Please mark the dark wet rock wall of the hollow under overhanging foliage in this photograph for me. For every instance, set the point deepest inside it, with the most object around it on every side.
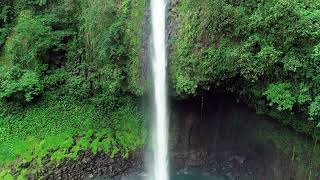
(219, 137)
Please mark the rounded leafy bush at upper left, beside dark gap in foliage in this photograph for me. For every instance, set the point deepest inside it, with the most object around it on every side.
(31, 40)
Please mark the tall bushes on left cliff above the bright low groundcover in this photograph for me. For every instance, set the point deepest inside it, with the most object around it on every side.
(79, 49)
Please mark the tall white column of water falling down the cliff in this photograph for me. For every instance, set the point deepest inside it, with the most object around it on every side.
(159, 63)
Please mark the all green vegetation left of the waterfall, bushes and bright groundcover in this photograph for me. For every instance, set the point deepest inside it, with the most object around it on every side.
(69, 69)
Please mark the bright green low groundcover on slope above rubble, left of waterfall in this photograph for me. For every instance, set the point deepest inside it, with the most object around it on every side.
(61, 130)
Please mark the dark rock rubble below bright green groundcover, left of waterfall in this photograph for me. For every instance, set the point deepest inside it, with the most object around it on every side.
(90, 166)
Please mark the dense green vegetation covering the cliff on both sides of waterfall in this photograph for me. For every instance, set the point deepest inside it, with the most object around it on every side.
(70, 70)
